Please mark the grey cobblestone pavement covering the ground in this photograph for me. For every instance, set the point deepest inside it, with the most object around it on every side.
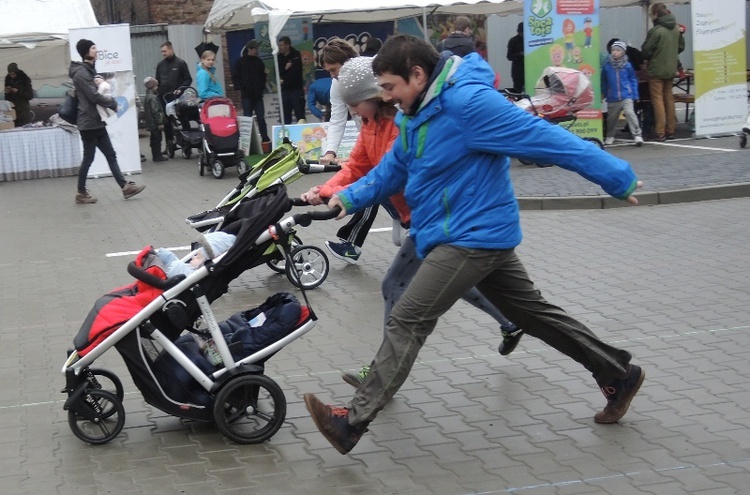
(667, 282)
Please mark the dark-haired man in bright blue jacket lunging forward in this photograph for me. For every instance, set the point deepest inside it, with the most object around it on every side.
(451, 161)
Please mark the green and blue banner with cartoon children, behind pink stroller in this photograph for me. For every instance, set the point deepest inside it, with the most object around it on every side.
(565, 33)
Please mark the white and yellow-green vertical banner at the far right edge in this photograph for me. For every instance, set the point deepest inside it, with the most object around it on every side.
(719, 39)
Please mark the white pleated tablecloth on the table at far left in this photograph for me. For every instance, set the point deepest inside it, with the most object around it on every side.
(34, 153)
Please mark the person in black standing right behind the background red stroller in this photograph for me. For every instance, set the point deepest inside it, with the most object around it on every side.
(249, 77)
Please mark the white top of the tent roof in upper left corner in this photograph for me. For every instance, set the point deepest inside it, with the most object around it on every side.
(37, 20)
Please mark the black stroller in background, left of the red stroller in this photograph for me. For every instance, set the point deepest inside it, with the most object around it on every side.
(183, 113)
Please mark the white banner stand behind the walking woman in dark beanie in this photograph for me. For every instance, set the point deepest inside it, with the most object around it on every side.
(115, 62)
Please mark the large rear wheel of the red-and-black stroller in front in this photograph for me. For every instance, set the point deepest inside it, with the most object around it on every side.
(250, 409)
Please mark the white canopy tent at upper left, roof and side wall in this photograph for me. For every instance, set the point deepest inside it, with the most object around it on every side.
(36, 36)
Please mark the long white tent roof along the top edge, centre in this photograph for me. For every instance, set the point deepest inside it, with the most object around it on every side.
(229, 15)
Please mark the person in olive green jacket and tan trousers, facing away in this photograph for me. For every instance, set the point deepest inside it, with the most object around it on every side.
(663, 43)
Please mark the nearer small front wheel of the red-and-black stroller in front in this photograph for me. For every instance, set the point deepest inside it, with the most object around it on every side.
(98, 418)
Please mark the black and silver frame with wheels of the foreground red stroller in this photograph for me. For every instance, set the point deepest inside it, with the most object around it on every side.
(248, 406)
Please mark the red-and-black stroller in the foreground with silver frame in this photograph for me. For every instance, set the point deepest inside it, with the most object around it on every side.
(212, 374)
